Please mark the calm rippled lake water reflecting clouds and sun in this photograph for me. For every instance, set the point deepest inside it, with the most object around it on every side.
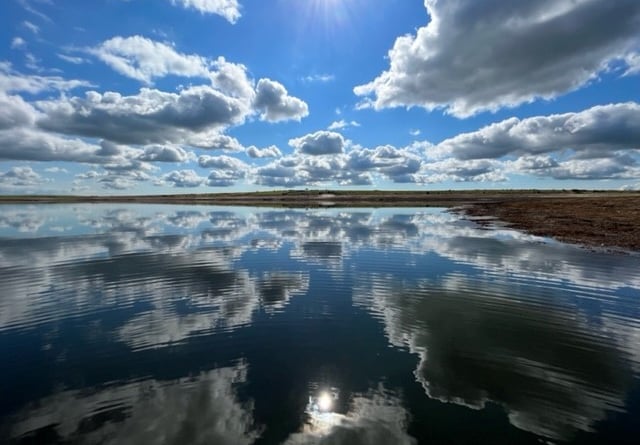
(173, 325)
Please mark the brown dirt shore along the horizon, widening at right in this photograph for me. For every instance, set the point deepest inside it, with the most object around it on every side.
(603, 219)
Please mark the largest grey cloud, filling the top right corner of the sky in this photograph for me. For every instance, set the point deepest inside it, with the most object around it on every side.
(483, 55)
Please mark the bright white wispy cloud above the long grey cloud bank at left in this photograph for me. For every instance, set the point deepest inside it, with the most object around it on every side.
(145, 59)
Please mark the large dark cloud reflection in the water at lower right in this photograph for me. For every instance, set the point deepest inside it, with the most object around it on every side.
(482, 341)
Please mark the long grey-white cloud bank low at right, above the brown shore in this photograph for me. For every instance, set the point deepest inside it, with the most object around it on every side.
(601, 142)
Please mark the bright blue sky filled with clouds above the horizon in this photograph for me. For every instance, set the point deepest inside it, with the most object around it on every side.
(194, 96)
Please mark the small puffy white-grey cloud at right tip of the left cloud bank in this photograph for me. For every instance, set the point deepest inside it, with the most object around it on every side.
(274, 103)
